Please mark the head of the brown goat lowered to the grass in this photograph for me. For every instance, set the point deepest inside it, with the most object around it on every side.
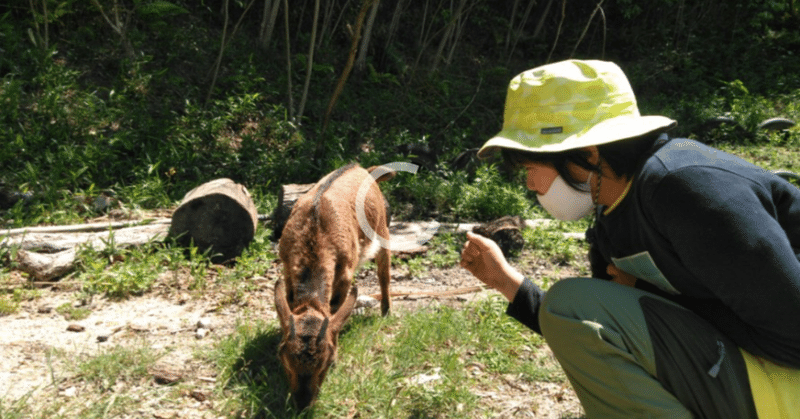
(309, 344)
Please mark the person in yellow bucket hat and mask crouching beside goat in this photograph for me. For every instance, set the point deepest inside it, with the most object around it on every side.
(694, 303)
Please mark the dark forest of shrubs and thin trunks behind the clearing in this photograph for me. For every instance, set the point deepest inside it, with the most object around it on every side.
(144, 99)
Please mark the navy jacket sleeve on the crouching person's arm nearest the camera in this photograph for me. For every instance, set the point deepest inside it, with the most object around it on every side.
(726, 231)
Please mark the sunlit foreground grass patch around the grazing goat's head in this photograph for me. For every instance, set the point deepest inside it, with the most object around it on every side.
(423, 364)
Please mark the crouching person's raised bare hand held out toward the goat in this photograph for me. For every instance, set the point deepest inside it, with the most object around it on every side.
(483, 258)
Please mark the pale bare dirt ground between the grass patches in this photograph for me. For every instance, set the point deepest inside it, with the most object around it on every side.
(38, 343)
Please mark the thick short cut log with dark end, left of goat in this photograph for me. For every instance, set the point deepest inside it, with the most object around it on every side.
(218, 216)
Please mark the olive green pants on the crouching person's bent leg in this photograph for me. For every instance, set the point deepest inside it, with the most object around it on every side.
(631, 354)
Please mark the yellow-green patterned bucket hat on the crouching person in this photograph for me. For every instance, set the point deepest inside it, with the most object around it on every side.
(571, 104)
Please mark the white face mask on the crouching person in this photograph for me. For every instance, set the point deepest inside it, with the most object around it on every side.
(565, 203)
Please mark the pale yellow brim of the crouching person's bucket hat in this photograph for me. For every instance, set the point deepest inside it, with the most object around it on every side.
(608, 131)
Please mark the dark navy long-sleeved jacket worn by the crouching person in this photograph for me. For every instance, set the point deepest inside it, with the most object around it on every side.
(714, 233)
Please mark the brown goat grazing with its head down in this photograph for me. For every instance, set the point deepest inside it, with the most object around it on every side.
(321, 246)
